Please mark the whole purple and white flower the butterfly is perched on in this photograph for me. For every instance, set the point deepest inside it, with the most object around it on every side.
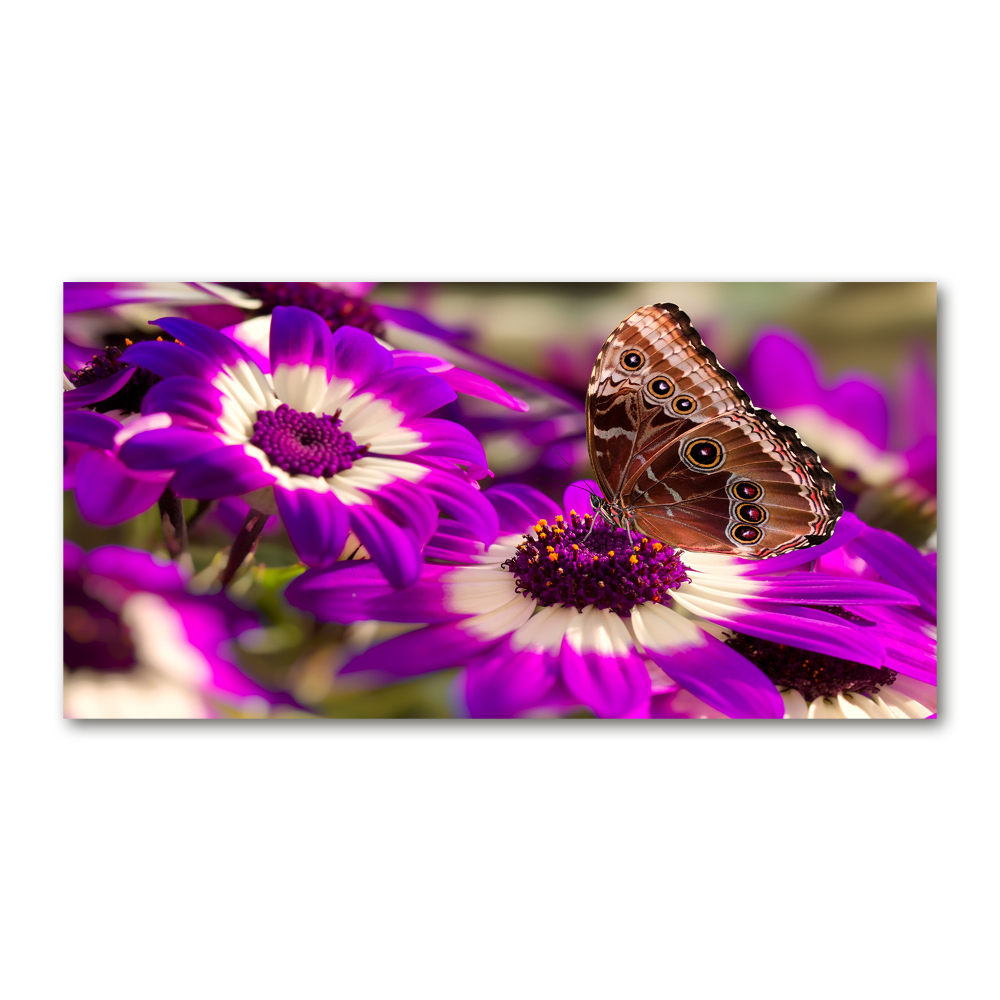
(563, 610)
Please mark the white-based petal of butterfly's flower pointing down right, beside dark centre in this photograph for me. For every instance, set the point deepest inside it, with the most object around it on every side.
(706, 666)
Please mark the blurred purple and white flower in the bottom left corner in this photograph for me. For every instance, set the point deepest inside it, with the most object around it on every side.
(137, 645)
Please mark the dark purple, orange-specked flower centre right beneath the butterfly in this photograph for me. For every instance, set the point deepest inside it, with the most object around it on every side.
(586, 563)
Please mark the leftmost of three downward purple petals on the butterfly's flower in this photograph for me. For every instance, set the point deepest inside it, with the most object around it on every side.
(506, 684)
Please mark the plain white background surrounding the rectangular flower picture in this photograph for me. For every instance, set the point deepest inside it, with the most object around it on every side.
(516, 141)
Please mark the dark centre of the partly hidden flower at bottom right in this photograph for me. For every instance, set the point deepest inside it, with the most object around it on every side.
(813, 675)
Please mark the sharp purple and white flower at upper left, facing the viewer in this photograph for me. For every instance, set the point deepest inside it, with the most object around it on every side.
(336, 439)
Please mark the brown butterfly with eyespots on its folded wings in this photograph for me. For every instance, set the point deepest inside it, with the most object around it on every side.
(682, 455)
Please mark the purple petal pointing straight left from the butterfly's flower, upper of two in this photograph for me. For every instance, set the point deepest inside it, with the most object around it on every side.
(358, 591)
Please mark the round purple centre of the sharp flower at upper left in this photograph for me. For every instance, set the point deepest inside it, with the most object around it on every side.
(305, 444)
